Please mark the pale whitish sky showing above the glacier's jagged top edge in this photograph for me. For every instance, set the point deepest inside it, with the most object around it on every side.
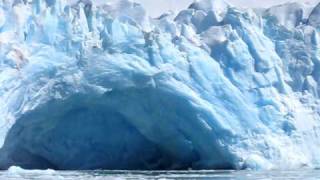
(157, 7)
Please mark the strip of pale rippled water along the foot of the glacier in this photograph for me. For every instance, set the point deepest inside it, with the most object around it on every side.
(223, 175)
